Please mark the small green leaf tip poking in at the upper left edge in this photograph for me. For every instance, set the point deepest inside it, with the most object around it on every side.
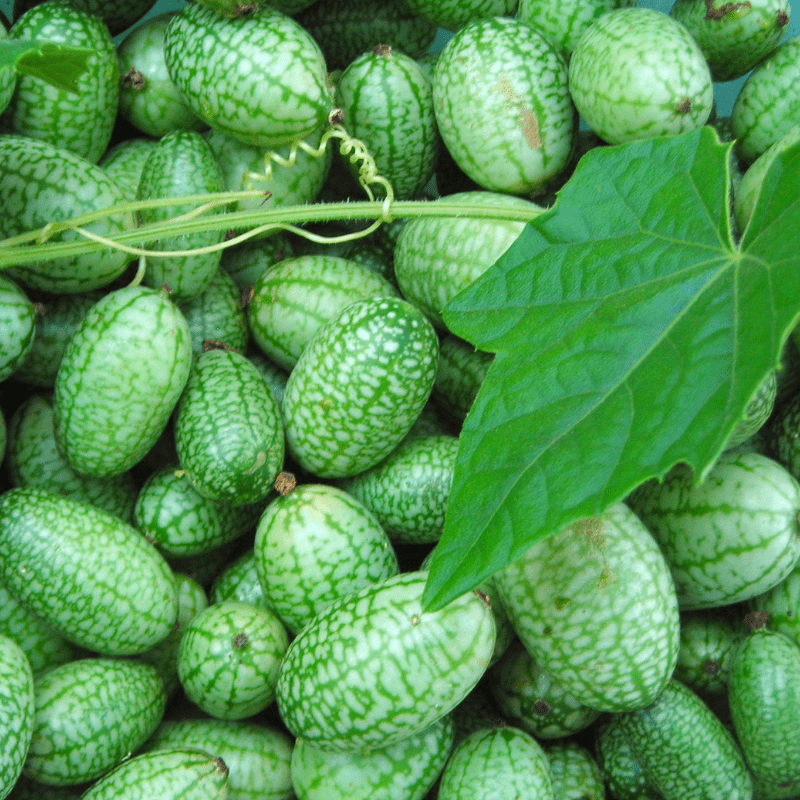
(58, 64)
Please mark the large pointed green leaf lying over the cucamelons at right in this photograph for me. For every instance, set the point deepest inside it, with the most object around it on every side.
(630, 333)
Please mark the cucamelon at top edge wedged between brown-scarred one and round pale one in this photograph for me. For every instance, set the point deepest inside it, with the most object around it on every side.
(565, 22)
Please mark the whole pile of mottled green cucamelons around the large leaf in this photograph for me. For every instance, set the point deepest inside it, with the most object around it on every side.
(229, 439)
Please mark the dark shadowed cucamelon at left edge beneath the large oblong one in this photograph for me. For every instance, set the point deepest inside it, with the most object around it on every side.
(44, 646)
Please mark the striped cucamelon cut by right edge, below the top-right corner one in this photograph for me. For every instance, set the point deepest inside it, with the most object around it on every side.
(768, 104)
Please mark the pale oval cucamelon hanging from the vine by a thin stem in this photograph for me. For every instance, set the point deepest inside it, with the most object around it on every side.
(120, 379)
